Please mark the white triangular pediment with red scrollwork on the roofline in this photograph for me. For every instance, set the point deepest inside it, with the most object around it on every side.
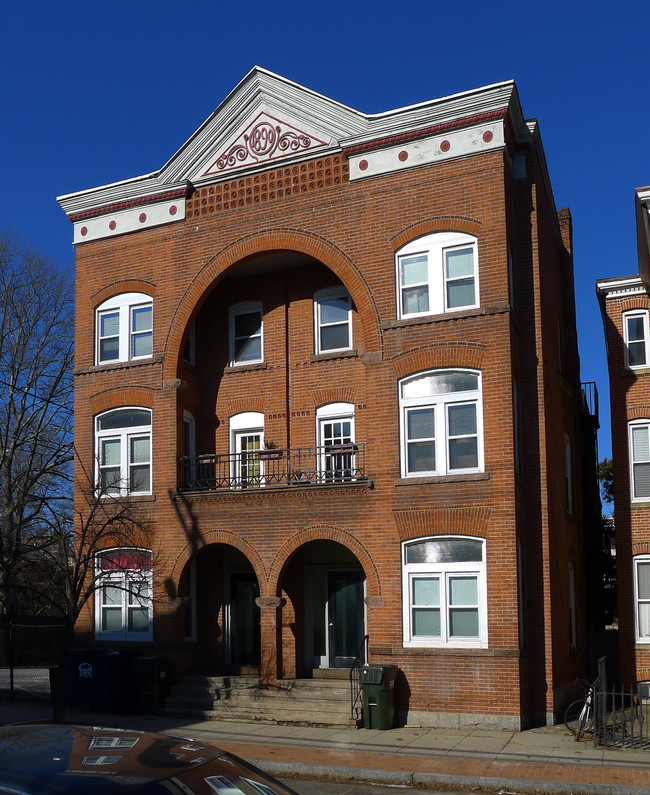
(266, 119)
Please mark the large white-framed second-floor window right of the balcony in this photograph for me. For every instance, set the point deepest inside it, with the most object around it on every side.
(441, 423)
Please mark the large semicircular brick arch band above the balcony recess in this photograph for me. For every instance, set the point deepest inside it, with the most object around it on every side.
(293, 240)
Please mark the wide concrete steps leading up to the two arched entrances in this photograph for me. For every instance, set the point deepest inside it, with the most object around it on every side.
(313, 702)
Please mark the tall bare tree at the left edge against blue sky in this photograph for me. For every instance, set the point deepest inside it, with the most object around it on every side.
(36, 356)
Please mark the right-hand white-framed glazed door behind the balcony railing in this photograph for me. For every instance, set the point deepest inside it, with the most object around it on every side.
(337, 450)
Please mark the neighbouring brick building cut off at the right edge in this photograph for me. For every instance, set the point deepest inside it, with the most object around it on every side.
(625, 305)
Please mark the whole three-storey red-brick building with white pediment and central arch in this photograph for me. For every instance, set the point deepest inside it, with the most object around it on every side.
(388, 300)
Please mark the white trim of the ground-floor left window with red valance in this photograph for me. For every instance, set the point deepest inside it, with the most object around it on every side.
(120, 577)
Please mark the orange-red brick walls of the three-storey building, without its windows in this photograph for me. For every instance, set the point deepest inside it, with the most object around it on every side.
(276, 234)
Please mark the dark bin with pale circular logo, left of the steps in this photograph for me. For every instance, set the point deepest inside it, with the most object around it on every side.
(100, 678)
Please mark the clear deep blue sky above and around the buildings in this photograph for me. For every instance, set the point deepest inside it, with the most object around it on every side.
(97, 92)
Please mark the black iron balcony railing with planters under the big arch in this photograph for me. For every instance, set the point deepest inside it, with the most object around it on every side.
(300, 467)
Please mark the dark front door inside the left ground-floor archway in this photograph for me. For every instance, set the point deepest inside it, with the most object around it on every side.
(244, 625)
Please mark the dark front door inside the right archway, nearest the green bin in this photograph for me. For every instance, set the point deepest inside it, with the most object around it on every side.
(345, 616)
